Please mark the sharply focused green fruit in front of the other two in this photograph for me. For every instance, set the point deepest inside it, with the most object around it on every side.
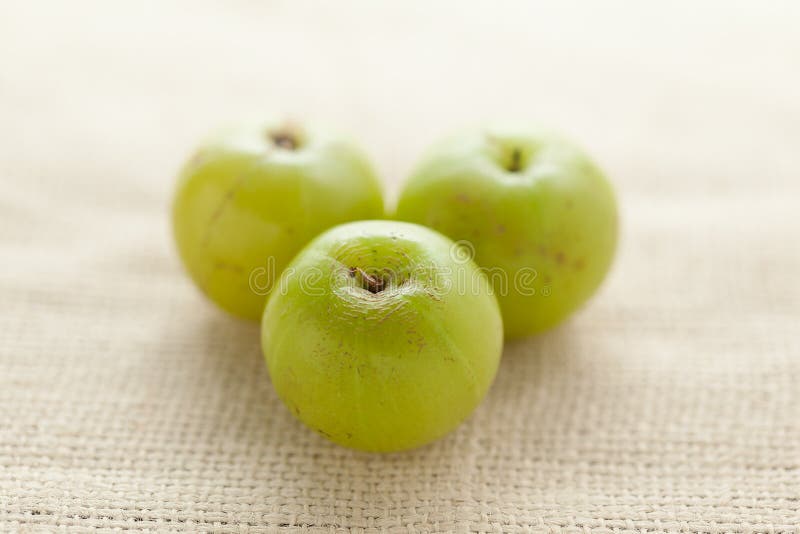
(390, 370)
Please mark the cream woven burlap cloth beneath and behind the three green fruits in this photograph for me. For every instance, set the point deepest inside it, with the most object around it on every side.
(670, 403)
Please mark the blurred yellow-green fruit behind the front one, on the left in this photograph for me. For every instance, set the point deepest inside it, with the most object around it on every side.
(245, 206)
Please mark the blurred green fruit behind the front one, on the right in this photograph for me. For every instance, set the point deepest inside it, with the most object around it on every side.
(548, 226)
